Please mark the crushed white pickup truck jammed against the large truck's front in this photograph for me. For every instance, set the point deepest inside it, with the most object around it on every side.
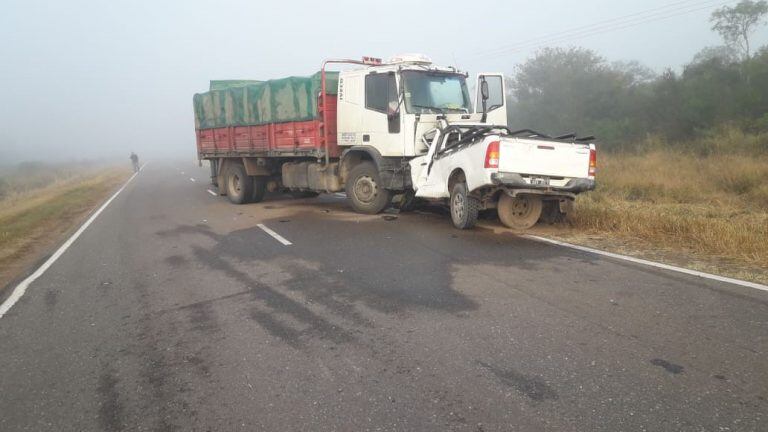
(521, 173)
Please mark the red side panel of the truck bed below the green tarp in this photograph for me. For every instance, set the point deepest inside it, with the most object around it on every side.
(292, 139)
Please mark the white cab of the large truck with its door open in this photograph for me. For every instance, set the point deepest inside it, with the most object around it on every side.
(390, 106)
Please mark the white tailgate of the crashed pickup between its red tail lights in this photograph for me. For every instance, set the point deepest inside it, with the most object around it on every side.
(544, 158)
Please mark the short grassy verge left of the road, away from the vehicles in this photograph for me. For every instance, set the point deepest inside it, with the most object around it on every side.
(33, 221)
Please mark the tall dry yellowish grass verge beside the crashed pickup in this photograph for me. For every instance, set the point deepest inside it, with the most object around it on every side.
(704, 211)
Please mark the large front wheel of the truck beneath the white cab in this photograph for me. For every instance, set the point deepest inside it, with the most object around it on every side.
(365, 191)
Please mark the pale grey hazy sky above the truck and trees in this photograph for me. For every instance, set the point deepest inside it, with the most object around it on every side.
(87, 79)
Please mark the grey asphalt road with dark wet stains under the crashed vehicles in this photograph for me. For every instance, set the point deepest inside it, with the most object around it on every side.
(175, 311)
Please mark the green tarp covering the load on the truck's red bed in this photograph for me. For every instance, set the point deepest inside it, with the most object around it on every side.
(250, 103)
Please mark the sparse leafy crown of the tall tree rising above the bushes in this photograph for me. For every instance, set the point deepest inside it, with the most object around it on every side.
(736, 24)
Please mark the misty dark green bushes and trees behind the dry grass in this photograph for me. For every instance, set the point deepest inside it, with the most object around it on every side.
(575, 90)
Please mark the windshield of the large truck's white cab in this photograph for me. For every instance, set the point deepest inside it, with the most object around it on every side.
(435, 92)
